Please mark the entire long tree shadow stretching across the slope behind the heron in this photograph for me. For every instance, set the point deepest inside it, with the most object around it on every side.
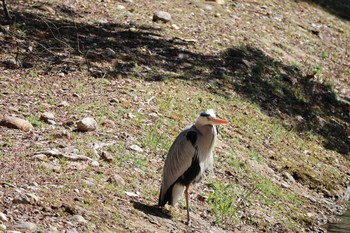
(51, 46)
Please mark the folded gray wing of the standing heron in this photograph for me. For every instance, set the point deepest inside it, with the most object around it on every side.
(179, 158)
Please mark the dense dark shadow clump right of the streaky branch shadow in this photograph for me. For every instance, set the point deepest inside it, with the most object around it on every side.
(283, 92)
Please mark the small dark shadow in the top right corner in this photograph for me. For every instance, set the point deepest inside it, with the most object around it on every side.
(340, 8)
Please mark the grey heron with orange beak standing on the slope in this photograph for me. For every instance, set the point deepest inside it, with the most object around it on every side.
(190, 155)
